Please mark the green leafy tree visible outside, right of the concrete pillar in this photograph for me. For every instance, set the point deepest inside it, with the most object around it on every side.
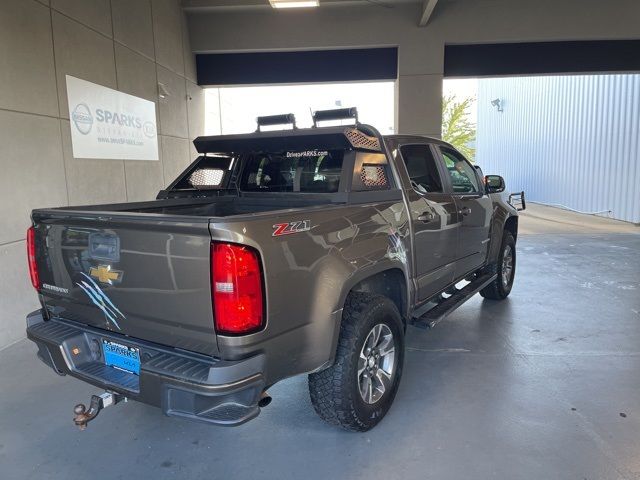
(457, 128)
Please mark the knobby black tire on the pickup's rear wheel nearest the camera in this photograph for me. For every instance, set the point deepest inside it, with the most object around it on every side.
(336, 391)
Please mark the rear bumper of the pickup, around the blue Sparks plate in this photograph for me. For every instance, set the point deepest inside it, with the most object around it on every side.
(181, 383)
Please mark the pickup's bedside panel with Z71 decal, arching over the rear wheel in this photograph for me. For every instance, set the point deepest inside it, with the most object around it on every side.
(309, 274)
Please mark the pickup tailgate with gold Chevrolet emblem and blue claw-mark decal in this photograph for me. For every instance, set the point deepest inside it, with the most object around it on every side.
(144, 276)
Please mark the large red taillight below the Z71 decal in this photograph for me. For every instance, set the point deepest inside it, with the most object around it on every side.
(236, 284)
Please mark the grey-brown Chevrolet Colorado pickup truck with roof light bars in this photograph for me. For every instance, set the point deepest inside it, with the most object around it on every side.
(275, 253)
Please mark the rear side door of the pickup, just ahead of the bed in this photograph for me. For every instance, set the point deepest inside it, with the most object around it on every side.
(434, 219)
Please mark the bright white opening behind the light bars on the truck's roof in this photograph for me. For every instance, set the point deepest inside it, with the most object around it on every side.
(234, 109)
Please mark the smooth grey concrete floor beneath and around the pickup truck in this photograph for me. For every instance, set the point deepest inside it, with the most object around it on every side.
(544, 385)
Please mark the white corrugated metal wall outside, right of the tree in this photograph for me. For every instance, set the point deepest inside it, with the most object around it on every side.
(569, 140)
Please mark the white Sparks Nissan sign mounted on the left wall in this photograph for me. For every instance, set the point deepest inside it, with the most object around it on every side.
(106, 123)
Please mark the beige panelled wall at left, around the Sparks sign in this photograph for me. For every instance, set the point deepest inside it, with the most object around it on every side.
(122, 44)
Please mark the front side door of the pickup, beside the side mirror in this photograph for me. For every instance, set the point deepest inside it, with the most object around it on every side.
(474, 208)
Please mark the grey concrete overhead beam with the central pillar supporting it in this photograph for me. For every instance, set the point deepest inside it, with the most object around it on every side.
(421, 50)
